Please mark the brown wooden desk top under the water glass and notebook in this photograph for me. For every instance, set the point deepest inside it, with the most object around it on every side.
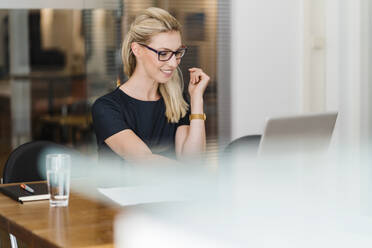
(84, 223)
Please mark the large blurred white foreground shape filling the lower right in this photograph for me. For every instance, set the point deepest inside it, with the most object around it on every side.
(300, 201)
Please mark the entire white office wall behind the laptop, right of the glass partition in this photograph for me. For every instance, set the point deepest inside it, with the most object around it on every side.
(292, 57)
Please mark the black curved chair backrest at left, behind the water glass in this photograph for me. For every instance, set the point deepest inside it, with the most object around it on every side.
(27, 162)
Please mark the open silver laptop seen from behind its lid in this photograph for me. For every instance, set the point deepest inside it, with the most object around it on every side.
(297, 134)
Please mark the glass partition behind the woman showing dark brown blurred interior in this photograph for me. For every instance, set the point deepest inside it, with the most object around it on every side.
(54, 63)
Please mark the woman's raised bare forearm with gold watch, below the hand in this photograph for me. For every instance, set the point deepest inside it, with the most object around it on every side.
(195, 141)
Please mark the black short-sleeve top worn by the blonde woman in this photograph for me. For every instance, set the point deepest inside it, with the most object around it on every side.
(117, 111)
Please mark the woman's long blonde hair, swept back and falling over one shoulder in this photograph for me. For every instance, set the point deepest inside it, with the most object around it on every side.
(148, 23)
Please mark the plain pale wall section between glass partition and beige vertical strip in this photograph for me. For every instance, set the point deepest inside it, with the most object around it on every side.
(266, 62)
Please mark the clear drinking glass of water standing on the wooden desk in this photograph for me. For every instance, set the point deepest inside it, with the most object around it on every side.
(58, 176)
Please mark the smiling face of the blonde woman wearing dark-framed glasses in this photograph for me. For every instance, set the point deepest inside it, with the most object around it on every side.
(161, 71)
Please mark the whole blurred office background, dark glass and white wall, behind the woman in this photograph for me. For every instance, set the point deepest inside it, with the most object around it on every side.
(265, 58)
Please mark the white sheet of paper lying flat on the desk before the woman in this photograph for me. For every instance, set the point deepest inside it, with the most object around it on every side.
(141, 194)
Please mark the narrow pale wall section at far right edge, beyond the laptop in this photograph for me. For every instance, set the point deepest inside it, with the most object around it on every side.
(348, 73)
